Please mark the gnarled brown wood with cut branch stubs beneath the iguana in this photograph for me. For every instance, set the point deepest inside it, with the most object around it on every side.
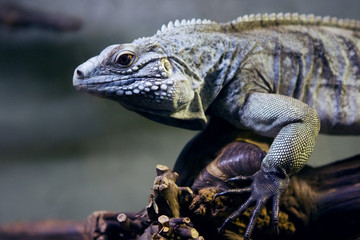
(321, 203)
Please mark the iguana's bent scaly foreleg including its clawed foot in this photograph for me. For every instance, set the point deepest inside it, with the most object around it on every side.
(295, 127)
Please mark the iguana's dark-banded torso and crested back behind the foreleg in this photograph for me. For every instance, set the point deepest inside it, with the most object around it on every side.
(316, 64)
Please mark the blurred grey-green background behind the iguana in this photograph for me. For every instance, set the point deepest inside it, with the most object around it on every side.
(64, 154)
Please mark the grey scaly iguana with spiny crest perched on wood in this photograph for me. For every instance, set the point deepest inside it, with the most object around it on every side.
(278, 75)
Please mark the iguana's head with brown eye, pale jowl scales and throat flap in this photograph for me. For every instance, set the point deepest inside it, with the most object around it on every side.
(144, 77)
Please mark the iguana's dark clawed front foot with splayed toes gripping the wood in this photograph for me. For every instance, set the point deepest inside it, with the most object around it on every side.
(264, 186)
